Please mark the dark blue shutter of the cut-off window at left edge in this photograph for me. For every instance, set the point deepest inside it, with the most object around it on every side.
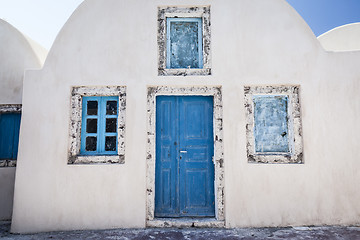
(9, 135)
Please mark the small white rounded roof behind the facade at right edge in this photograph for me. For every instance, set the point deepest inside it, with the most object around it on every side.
(343, 38)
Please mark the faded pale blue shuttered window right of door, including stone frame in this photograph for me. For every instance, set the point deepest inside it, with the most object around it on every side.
(273, 128)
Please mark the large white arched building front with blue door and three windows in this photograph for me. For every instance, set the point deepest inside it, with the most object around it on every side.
(188, 113)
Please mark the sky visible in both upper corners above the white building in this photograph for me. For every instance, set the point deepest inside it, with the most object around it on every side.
(42, 20)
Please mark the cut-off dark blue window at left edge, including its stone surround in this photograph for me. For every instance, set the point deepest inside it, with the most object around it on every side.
(10, 117)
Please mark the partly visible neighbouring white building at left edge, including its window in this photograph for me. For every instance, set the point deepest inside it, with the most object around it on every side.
(17, 53)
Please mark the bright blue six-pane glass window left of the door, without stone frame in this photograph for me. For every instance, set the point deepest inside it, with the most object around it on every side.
(99, 126)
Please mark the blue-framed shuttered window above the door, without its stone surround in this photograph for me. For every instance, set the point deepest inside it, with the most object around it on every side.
(184, 43)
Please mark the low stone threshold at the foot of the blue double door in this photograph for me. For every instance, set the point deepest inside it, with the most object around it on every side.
(185, 223)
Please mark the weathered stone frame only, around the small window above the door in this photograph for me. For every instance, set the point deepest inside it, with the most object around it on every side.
(184, 12)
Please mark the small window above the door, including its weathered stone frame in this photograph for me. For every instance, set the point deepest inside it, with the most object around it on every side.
(184, 41)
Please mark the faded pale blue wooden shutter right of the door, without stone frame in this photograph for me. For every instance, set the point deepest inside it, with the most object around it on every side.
(271, 123)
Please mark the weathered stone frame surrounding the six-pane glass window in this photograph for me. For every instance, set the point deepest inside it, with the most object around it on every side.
(75, 124)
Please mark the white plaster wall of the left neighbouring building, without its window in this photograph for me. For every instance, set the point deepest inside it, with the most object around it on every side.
(17, 53)
